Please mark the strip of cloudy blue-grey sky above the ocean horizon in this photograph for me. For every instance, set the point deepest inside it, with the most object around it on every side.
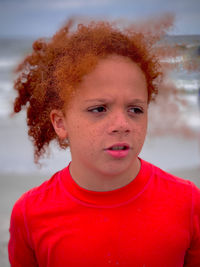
(41, 18)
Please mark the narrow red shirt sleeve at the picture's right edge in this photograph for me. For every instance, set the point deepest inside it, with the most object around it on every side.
(192, 258)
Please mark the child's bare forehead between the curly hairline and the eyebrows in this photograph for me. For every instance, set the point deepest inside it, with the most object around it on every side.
(112, 78)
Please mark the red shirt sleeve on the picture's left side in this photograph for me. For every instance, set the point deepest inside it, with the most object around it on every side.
(19, 250)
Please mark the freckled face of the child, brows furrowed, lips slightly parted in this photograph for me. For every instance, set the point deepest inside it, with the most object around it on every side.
(106, 121)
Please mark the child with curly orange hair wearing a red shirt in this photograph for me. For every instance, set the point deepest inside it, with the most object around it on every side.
(90, 90)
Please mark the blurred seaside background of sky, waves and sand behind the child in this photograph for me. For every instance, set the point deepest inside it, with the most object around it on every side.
(173, 141)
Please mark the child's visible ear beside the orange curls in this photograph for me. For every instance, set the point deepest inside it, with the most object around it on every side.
(58, 121)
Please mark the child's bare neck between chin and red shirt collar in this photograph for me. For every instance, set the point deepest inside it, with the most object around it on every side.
(98, 181)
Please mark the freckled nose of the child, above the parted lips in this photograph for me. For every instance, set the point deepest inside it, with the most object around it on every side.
(119, 124)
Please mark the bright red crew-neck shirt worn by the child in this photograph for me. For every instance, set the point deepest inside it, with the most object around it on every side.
(154, 221)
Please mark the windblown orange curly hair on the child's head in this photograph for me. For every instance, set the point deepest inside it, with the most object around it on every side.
(49, 76)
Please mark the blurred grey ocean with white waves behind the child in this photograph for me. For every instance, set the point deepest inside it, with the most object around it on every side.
(169, 146)
